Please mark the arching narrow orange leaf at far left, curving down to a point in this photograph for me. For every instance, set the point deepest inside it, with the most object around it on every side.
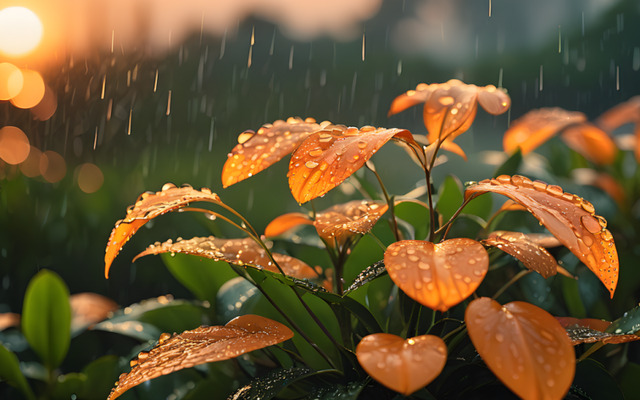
(148, 206)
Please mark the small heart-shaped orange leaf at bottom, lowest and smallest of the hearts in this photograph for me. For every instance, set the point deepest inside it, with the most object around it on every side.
(402, 365)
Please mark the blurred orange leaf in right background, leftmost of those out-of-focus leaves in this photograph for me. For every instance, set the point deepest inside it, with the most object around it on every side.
(538, 126)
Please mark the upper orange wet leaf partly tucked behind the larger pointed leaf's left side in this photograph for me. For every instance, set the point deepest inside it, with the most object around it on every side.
(255, 152)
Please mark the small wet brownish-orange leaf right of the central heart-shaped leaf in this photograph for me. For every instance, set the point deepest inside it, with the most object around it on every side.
(518, 245)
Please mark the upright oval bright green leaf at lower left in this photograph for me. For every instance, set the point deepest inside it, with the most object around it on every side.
(46, 317)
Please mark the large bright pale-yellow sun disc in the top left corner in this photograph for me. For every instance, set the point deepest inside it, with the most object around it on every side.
(20, 31)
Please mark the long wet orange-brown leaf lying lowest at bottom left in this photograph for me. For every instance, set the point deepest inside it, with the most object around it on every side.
(202, 345)
